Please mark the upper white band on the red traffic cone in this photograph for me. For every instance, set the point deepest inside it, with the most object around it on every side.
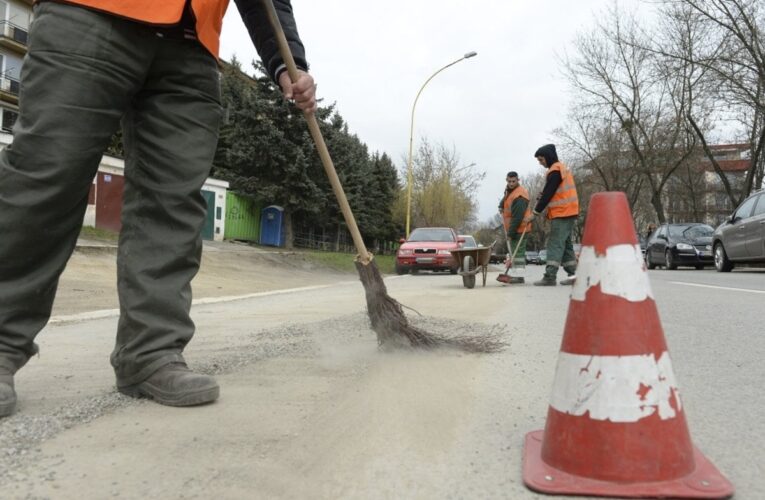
(619, 272)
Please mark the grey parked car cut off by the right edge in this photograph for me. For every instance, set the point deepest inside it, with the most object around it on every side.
(741, 239)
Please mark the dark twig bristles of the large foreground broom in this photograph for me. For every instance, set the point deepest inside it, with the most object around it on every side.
(393, 329)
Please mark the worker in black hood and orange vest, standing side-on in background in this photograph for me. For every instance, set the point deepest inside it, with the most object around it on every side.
(560, 199)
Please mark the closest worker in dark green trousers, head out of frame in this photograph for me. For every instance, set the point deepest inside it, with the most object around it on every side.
(153, 67)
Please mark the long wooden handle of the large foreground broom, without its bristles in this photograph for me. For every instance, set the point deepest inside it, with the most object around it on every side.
(313, 125)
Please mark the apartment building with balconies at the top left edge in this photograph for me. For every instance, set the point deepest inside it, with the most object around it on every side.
(15, 16)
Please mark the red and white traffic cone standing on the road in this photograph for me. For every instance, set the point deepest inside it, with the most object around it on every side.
(615, 425)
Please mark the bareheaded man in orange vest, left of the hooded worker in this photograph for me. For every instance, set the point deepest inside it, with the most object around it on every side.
(516, 219)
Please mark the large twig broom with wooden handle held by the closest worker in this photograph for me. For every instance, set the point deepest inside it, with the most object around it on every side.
(386, 315)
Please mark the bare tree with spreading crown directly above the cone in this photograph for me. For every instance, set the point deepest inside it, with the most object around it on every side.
(617, 76)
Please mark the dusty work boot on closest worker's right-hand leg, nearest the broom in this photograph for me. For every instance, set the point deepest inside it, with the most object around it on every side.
(175, 385)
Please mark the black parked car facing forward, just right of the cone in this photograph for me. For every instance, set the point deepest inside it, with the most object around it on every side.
(673, 245)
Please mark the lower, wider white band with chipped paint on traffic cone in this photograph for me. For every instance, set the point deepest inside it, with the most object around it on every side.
(615, 388)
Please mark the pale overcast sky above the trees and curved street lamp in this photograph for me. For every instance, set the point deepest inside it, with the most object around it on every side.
(496, 109)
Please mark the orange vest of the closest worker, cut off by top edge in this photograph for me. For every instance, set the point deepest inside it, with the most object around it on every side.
(208, 13)
